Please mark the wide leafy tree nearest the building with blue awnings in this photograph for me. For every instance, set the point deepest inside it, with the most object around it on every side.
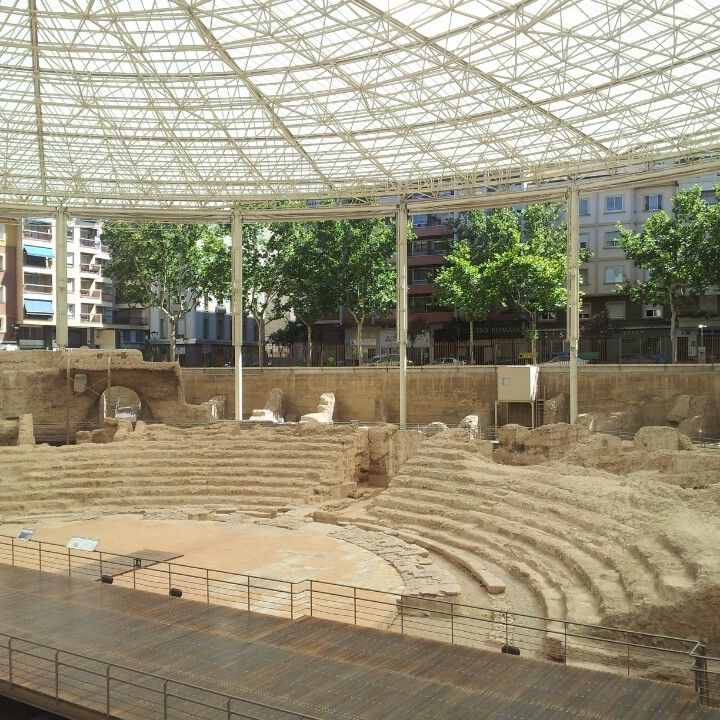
(162, 265)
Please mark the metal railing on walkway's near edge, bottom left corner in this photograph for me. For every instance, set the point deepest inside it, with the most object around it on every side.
(119, 691)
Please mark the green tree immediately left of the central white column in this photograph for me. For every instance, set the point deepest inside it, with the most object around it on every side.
(366, 277)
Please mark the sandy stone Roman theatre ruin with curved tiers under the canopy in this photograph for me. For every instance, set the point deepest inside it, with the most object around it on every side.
(561, 524)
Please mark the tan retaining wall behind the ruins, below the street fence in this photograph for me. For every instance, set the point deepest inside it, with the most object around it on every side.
(448, 394)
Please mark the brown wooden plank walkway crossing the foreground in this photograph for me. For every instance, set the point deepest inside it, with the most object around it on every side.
(314, 667)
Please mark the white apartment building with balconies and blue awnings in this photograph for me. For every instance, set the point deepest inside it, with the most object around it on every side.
(93, 318)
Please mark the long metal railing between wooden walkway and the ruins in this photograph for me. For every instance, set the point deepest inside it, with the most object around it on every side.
(625, 651)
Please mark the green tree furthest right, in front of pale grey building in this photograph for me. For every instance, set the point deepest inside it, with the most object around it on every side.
(678, 255)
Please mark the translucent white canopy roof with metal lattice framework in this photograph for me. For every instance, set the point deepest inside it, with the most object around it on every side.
(187, 103)
